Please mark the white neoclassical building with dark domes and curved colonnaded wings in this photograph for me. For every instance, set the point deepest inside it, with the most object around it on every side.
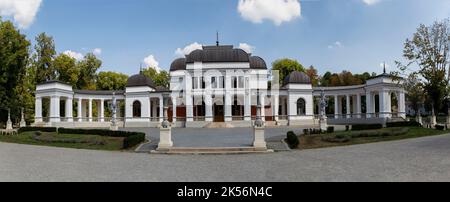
(219, 85)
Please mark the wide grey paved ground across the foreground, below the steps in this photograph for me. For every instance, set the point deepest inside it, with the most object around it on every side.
(424, 159)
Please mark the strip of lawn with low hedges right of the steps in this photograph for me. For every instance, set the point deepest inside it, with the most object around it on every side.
(315, 141)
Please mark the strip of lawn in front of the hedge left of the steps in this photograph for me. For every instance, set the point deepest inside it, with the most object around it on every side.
(93, 142)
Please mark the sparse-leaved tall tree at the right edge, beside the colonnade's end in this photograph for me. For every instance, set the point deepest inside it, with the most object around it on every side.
(429, 50)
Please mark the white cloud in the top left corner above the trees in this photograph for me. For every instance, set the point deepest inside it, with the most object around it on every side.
(23, 11)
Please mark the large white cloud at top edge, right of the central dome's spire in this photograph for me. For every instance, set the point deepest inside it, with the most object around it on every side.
(277, 11)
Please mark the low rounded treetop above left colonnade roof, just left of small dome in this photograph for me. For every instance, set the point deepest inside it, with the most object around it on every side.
(111, 81)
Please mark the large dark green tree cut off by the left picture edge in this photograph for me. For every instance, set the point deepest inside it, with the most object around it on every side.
(14, 54)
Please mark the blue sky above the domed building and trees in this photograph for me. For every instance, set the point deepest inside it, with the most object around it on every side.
(332, 35)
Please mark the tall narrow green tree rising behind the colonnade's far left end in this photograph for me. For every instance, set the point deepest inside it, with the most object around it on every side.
(44, 55)
